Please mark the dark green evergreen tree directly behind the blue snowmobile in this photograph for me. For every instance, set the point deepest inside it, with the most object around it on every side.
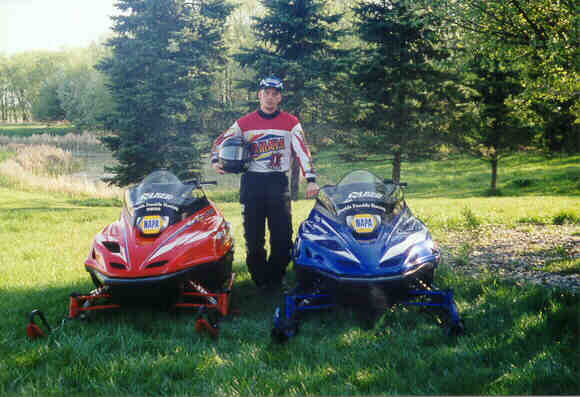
(397, 80)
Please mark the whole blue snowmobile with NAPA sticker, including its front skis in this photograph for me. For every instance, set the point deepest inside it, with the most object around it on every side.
(361, 246)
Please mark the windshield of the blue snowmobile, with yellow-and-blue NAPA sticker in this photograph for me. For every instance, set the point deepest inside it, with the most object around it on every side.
(362, 200)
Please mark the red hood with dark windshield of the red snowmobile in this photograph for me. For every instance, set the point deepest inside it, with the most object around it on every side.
(165, 227)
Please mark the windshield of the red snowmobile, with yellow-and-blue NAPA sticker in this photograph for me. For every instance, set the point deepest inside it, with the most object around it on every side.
(161, 200)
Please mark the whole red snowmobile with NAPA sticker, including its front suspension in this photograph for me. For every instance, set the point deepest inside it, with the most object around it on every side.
(171, 247)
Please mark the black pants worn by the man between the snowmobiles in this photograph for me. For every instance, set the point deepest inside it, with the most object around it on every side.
(266, 197)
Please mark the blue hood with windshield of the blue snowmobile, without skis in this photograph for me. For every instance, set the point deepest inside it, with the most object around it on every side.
(362, 228)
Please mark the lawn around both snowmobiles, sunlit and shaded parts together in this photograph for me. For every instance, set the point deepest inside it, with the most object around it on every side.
(521, 340)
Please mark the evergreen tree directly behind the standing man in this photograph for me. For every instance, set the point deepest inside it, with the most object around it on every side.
(296, 44)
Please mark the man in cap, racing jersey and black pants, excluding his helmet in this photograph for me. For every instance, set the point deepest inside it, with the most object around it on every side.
(274, 137)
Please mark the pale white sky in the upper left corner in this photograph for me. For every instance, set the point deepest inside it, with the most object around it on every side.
(52, 25)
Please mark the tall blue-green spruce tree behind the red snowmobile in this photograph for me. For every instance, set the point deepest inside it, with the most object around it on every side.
(163, 58)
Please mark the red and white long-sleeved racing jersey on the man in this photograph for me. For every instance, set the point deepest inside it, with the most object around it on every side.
(273, 140)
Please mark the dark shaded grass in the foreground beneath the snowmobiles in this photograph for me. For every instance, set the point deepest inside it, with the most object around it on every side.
(519, 341)
